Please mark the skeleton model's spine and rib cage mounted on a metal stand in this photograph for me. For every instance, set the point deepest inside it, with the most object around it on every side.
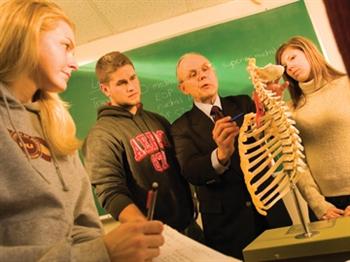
(269, 145)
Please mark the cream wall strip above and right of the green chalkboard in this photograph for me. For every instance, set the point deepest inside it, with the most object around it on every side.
(207, 17)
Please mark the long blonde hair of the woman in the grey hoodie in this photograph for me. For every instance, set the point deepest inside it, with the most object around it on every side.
(21, 23)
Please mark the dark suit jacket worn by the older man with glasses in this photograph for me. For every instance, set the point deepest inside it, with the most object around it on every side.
(230, 221)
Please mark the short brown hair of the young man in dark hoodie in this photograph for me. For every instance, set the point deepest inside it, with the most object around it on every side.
(109, 63)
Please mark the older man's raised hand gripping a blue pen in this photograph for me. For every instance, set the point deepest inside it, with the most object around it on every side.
(224, 133)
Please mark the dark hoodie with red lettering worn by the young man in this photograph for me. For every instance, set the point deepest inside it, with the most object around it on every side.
(125, 154)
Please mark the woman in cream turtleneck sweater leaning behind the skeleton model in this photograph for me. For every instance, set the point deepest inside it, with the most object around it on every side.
(321, 107)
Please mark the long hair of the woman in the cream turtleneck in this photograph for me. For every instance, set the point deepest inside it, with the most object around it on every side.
(320, 69)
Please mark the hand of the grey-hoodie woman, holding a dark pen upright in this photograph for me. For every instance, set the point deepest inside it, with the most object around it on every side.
(135, 241)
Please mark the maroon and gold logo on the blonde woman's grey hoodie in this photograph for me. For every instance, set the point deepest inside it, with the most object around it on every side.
(35, 146)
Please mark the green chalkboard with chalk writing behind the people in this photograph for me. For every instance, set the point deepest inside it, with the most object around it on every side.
(227, 46)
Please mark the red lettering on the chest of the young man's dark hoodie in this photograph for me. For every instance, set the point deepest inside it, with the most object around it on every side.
(151, 144)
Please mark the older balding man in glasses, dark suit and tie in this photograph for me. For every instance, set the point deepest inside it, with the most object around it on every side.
(206, 147)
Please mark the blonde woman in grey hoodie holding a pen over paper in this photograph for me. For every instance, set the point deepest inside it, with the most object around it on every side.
(46, 207)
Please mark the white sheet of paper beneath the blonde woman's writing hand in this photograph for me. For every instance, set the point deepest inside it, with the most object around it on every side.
(180, 248)
